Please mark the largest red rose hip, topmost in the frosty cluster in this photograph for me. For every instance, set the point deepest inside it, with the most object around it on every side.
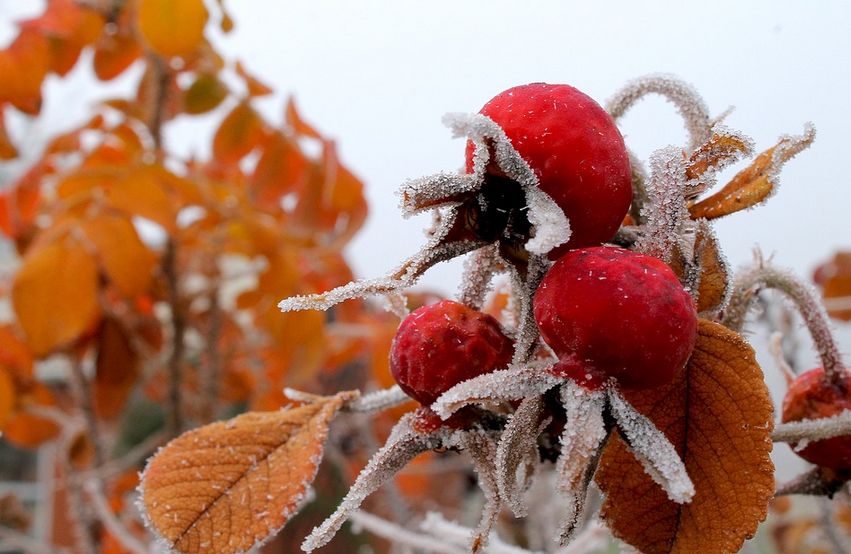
(575, 150)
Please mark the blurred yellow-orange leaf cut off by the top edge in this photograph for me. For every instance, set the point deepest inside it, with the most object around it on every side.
(172, 27)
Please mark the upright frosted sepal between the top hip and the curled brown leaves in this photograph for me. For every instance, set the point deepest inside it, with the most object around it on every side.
(665, 211)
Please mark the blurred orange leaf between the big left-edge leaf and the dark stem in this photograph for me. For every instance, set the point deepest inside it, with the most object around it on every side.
(126, 261)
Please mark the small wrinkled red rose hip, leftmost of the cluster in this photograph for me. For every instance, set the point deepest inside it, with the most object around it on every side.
(440, 345)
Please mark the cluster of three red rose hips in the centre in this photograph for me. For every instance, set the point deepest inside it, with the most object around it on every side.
(608, 313)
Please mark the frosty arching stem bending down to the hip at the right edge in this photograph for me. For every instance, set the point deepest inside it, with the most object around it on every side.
(762, 276)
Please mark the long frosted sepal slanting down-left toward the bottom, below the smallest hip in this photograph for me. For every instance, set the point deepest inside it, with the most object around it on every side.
(403, 446)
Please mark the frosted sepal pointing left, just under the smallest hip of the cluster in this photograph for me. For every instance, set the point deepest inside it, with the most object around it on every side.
(514, 383)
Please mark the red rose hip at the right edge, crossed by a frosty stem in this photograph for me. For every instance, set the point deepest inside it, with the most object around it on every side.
(813, 396)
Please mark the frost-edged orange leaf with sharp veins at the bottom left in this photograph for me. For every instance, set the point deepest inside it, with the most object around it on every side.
(227, 486)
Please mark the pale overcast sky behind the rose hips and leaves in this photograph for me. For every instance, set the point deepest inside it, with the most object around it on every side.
(378, 75)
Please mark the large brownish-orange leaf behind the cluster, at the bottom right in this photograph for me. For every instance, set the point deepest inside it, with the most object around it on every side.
(718, 415)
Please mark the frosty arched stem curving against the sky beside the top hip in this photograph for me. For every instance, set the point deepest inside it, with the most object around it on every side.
(682, 95)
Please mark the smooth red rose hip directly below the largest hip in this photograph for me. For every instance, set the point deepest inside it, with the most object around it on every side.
(613, 313)
